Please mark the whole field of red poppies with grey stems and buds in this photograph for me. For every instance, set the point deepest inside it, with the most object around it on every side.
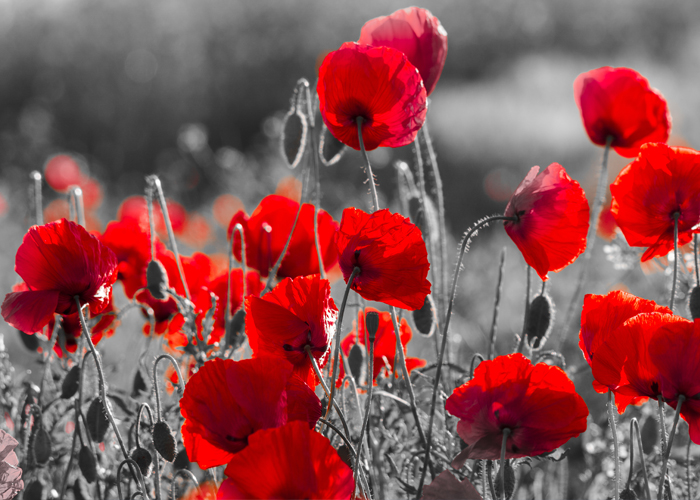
(321, 356)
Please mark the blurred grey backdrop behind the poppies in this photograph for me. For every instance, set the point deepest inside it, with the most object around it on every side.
(195, 92)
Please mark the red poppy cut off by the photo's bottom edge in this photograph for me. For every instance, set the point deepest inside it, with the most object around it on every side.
(287, 462)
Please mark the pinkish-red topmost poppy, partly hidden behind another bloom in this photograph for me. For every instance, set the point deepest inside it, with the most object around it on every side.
(415, 32)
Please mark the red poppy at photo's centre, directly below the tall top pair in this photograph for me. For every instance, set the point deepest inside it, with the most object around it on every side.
(390, 253)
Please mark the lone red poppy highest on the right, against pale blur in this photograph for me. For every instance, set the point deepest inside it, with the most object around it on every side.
(618, 102)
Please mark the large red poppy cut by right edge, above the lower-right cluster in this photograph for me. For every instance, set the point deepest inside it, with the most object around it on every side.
(660, 182)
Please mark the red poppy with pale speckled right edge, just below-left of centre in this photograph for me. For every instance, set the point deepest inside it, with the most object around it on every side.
(297, 313)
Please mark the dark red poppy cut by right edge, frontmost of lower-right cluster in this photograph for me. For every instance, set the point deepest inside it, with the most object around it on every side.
(675, 351)
